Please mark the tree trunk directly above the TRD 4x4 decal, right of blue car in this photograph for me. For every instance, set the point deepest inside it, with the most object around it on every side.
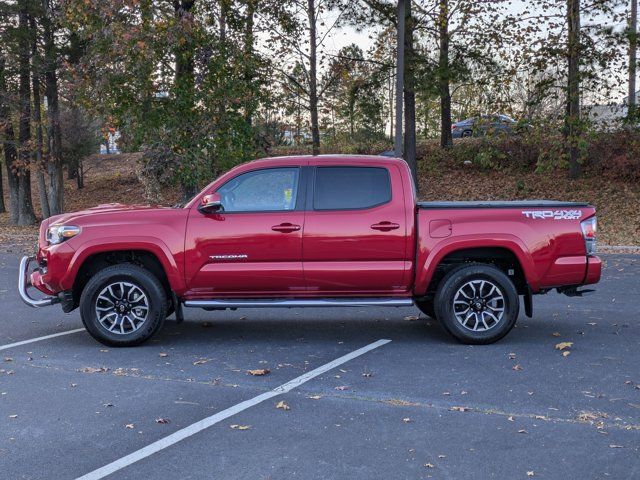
(572, 121)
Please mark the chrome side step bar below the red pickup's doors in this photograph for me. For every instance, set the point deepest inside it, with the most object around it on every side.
(292, 303)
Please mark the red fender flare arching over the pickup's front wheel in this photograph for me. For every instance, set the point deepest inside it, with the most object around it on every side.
(112, 244)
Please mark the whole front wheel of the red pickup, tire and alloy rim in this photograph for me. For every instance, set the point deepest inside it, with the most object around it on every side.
(123, 305)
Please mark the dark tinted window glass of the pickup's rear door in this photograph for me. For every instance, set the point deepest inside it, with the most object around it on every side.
(351, 188)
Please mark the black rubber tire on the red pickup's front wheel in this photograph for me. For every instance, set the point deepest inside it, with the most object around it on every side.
(139, 278)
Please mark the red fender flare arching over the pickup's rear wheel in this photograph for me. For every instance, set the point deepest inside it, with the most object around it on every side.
(429, 261)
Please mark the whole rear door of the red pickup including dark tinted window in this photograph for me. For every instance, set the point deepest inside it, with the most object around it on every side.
(354, 240)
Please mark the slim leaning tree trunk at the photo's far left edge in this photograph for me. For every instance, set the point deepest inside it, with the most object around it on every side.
(8, 145)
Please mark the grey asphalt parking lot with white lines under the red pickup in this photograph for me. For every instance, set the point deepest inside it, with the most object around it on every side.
(419, 406)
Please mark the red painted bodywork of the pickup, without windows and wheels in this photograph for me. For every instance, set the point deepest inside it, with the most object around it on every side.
(333, 253)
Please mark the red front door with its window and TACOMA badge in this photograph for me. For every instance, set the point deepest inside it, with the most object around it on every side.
(253, 247)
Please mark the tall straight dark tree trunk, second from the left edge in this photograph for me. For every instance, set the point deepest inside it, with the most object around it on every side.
(25, 204)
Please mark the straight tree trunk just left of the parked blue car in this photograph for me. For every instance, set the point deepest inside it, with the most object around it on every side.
(446, 138)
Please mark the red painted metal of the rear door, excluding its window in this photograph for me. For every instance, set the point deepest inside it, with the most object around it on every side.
(343, 253)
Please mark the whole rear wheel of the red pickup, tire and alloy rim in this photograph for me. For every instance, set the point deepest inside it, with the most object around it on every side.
(459, 279)
